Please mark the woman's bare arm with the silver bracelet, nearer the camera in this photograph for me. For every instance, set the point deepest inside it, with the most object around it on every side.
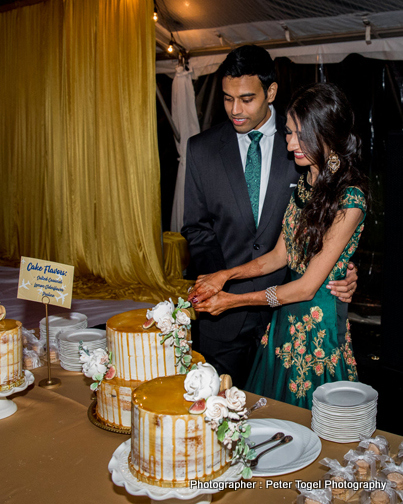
(305, 287)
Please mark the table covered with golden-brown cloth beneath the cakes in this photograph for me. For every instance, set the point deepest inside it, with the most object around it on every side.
(51, 452)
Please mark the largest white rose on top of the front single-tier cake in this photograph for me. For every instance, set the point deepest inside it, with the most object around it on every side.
(201, 383)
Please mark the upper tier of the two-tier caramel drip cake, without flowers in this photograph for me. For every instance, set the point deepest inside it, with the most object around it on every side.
(137, 352)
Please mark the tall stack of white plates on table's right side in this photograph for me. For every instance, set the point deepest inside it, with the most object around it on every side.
(343, 410)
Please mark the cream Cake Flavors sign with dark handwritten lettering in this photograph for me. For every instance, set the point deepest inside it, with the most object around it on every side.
(45, 279)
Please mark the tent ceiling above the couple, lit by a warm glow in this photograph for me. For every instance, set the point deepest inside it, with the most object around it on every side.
(216, 26)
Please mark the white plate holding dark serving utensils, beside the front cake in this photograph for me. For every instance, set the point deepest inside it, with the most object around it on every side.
(302, 451)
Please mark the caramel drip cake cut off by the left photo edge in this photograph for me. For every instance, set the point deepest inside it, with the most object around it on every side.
(11, 372)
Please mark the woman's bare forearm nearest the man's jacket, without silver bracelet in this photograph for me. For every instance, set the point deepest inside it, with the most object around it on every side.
(209, 285)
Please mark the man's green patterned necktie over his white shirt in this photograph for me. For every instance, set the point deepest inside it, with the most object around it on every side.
(252, 172)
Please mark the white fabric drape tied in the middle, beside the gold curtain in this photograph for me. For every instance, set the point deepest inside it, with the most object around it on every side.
(184, 116)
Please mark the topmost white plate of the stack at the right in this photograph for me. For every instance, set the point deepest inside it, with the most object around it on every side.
(345, 394)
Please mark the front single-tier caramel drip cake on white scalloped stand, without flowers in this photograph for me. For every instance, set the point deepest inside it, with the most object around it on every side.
(170, 446)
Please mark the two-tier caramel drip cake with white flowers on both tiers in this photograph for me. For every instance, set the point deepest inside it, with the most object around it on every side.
(142, 345)
